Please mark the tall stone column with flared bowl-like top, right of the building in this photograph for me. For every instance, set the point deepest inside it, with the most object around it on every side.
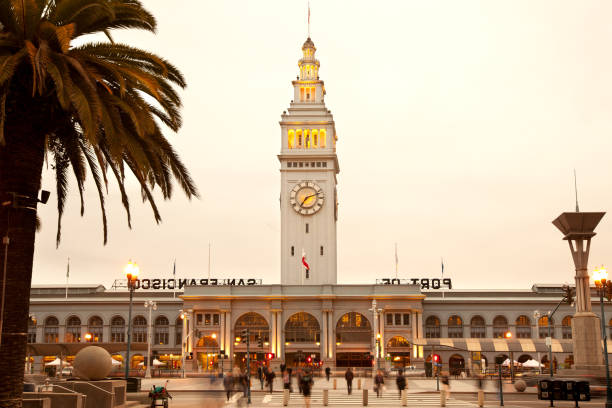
(578, 229)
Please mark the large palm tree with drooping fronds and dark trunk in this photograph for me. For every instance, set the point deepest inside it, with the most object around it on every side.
(99, 106)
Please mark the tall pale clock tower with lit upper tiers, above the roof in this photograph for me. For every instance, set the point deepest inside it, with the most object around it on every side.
(308, 166)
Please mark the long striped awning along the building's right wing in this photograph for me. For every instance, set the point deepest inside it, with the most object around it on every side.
(502, 346)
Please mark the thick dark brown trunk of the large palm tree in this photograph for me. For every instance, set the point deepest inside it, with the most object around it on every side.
(21, 161)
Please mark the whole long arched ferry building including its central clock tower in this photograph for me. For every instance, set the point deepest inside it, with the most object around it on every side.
(309, 316)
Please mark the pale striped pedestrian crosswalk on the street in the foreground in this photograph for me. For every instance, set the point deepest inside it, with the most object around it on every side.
(356, 398)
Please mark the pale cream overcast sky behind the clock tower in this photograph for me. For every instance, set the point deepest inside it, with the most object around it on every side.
(459, 124)
